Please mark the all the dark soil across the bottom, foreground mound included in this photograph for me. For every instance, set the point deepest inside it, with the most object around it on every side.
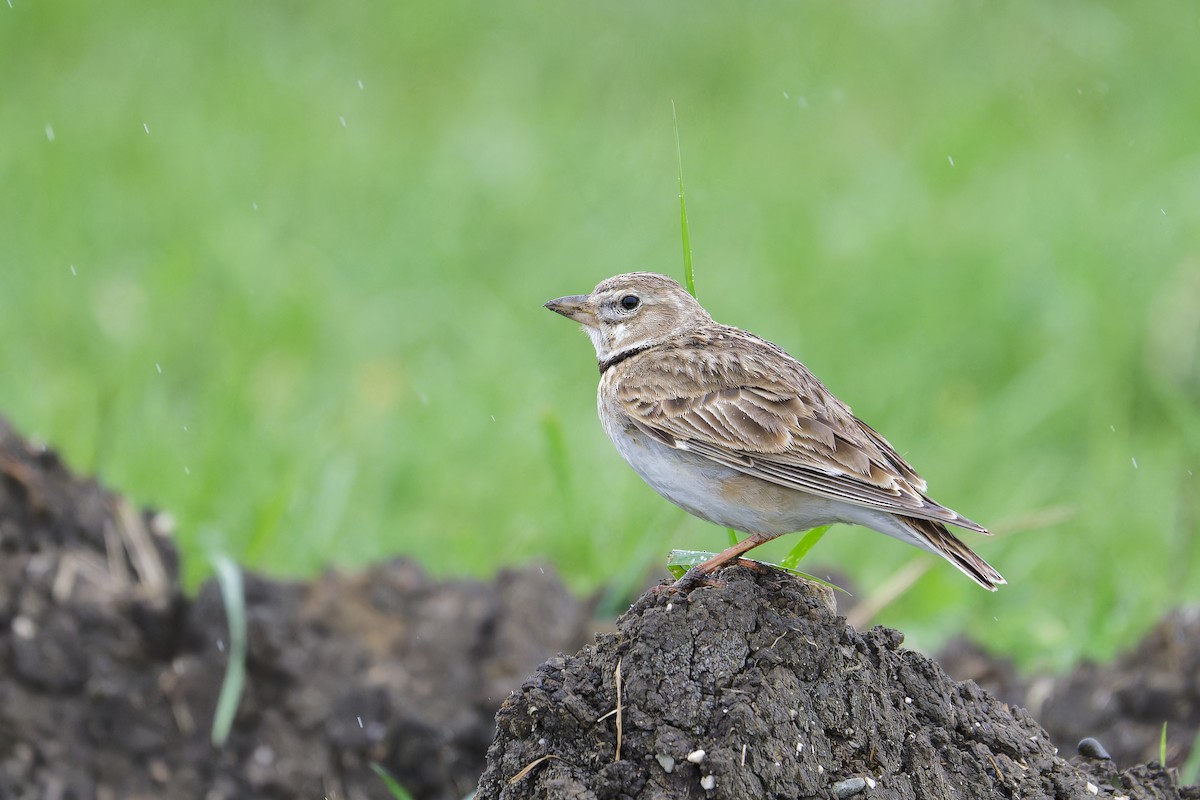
(110, 678)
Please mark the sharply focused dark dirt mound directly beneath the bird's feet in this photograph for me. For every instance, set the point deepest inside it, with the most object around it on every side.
(755, 689)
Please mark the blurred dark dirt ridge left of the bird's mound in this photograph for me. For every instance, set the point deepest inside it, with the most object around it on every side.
(110, 676)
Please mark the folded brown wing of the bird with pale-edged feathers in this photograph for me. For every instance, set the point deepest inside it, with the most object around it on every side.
(757, 410)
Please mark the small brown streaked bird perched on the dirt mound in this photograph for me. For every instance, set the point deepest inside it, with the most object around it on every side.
(733, 430)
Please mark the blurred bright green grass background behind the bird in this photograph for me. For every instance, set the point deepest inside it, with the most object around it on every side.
(279, 269)
